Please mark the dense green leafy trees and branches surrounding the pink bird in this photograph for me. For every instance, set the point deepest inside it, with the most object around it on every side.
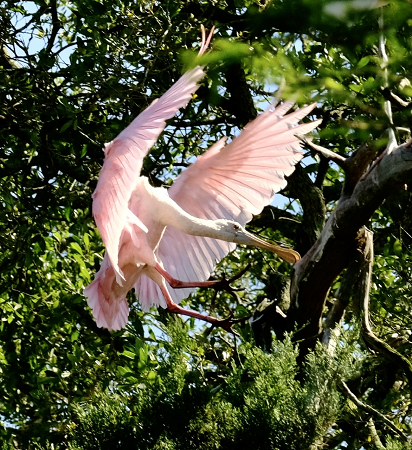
(73, 75)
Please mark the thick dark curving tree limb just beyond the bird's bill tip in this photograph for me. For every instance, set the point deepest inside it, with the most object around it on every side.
(338, 242)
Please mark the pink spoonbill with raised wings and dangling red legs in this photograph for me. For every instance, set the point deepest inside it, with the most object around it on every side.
(164, 243)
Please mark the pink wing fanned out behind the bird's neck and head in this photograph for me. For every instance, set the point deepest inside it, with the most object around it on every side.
(234, 182)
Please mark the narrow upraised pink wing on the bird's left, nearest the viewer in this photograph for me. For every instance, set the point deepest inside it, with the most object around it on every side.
(123, 162)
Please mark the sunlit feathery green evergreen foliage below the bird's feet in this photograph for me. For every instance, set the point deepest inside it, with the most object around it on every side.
(259, 404)
